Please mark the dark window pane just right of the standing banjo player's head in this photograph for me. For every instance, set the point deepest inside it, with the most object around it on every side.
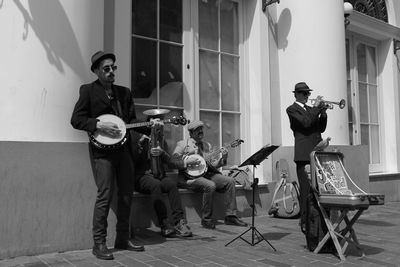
(144, 70)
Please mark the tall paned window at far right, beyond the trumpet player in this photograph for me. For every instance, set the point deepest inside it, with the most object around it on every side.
(363, 91)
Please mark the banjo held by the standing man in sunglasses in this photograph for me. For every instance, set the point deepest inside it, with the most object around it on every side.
(104, 141)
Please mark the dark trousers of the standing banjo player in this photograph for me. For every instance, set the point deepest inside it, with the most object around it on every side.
(116, 167)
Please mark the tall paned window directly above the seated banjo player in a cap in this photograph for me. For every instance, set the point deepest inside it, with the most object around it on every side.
(219, 91)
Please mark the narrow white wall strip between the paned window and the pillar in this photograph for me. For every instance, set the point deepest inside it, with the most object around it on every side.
(256, 80)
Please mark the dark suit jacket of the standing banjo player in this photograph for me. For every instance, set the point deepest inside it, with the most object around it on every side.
(93, 102)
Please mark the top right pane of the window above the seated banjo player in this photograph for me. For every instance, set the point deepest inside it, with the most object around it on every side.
(229, 27)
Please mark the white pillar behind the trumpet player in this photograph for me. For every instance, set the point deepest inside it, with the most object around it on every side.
(311, 48)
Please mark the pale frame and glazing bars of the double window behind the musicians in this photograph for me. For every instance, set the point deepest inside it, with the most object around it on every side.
(190, 68)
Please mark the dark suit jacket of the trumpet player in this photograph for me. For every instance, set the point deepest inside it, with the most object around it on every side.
(307, 127)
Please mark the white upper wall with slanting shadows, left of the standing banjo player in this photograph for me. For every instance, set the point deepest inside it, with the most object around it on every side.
(46, 48)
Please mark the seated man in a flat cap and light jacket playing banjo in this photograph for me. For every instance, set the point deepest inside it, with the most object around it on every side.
(211, 181)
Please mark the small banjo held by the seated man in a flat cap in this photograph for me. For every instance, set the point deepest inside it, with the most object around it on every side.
(197, 170)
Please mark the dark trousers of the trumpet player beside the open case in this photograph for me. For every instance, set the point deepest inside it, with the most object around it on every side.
(305, 189)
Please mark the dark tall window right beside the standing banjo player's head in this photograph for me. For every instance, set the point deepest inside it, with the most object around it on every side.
(157, 59)
